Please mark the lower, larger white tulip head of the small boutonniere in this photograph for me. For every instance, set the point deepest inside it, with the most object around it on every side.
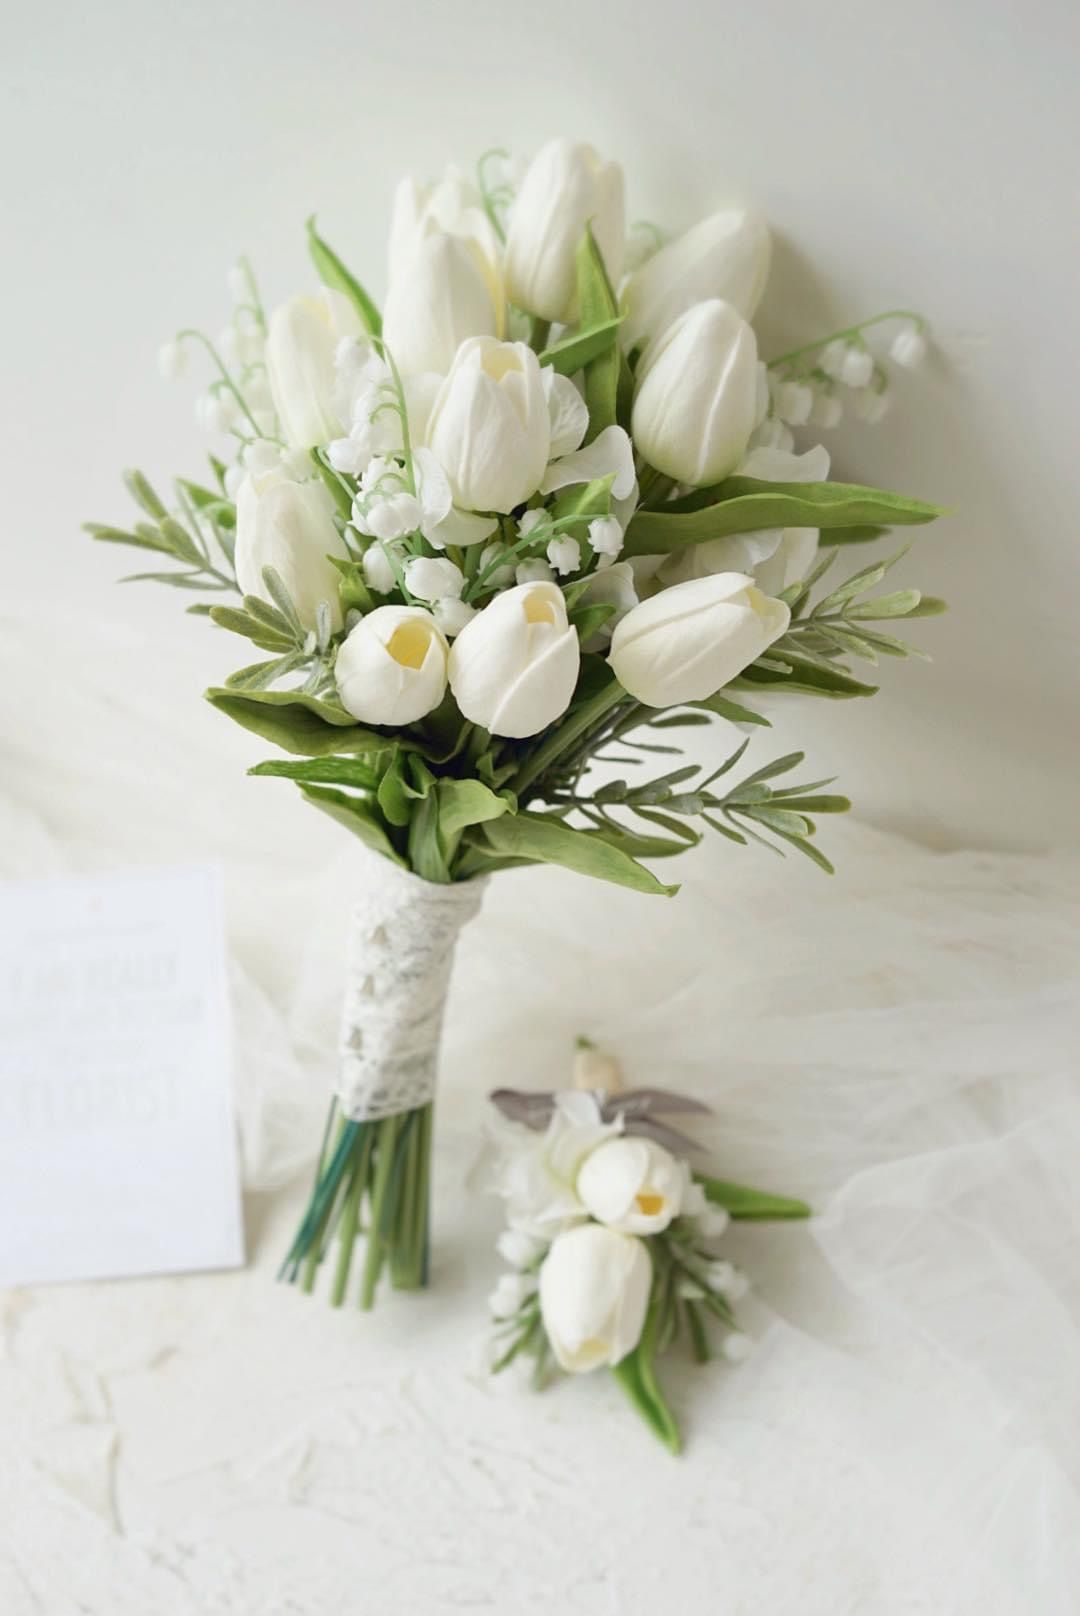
(594, 1297)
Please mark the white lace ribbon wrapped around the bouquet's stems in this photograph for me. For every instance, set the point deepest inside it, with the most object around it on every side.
(400, 956)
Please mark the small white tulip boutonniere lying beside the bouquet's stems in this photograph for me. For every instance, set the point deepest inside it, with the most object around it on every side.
(615, 1235)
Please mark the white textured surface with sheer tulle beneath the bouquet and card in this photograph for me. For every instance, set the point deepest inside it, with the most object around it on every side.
(898, 1045)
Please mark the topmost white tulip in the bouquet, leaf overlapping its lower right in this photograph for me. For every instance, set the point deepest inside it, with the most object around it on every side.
(565, 188)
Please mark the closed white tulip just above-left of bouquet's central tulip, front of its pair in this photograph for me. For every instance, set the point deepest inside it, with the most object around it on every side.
(436, 301)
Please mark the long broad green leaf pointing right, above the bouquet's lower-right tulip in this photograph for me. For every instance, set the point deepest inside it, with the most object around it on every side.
(741, 505)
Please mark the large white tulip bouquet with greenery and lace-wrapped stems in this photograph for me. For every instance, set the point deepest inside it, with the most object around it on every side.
(542, 507)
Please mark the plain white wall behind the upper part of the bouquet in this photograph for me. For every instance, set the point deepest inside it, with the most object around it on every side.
(918, 154)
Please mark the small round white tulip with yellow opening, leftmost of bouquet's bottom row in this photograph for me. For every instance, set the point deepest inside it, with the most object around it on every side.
(392, 668)
